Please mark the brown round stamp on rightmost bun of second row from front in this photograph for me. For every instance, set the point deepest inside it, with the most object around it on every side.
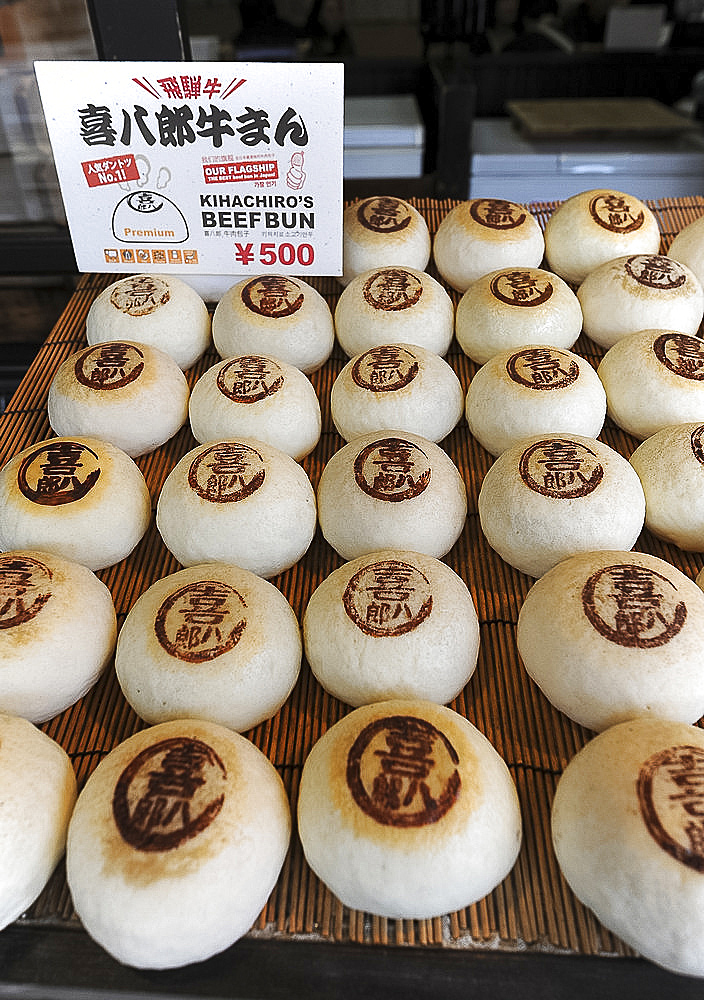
(633, 606)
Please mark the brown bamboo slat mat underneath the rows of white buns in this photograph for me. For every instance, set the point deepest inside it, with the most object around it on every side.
(532, 910)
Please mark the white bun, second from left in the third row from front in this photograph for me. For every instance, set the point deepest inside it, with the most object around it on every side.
(240, 501)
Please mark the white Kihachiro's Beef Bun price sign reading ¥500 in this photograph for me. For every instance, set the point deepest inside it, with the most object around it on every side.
(199, 168)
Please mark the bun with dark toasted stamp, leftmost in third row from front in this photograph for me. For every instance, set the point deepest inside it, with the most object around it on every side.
(80, 498)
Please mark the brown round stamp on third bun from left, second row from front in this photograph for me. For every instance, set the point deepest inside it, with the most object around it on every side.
(388, 598)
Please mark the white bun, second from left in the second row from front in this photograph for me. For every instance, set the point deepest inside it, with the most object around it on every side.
(211, 642)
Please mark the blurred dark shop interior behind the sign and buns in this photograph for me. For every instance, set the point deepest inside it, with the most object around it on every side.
(453, 66)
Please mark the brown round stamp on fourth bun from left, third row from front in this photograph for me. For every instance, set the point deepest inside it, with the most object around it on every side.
(560, 468)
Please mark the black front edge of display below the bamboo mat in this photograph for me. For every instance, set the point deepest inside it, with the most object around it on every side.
(56, 964)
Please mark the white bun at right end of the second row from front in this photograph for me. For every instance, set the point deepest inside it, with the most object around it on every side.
(611, 635)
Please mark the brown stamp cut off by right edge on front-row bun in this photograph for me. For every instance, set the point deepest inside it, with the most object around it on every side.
(671, 798)
